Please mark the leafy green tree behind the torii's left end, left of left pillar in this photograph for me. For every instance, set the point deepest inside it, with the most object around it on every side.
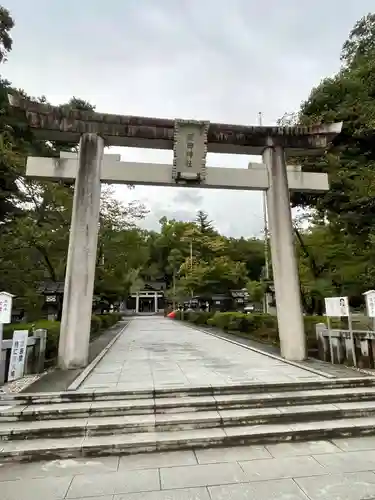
(43, 208)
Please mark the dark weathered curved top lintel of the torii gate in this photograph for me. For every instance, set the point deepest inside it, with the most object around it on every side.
(62, 123)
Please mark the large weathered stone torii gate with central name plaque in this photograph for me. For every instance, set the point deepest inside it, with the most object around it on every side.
(190, 141)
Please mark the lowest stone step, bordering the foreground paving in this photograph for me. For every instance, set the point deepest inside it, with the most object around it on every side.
(47, 449)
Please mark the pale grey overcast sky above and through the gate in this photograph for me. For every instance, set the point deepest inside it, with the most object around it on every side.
(204, 59)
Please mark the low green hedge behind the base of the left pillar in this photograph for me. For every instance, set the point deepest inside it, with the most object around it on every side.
(98, 323)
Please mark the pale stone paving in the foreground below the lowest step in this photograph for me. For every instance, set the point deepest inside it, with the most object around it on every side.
(341, 469)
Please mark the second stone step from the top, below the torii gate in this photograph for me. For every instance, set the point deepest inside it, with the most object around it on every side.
(108, 408)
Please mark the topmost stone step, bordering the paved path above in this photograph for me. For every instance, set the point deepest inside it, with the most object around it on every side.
(253, 388)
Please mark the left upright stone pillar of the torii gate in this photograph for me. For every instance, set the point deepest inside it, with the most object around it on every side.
(80, 269)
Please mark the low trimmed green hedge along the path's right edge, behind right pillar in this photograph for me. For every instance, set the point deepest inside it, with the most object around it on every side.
(261, 327)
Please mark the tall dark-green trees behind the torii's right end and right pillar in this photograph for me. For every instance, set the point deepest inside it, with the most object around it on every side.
(336, 252)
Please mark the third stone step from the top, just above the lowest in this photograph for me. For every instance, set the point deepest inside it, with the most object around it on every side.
(82, 427)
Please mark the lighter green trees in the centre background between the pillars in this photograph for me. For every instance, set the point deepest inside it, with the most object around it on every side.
(194, 258)
